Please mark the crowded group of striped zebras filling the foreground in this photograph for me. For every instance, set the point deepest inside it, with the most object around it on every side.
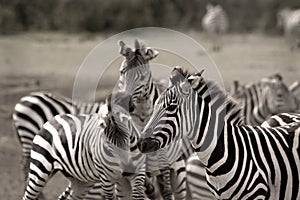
(100, 147)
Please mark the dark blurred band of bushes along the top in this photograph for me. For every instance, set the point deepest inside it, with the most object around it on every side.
(74, 16)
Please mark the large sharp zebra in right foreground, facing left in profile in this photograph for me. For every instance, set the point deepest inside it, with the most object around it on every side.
(241, 161)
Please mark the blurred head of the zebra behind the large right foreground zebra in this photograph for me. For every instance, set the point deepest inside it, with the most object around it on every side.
(277, 95)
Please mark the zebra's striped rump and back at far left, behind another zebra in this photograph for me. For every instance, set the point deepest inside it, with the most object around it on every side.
(35, 109)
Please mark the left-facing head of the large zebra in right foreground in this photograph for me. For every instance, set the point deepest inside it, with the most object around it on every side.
(170, 113)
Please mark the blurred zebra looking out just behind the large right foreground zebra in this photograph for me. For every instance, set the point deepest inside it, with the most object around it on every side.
(262, 99)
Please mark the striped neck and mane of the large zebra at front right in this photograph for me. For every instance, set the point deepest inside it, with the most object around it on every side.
(216, 113)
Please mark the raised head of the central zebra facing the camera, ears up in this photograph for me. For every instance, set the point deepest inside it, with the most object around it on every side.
(135, 71)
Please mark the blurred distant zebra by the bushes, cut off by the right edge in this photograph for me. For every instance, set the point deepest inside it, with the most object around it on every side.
(289, 20)
